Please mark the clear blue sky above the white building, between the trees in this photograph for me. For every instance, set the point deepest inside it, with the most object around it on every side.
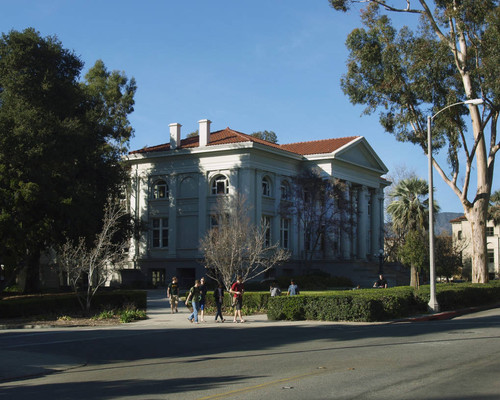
(255, 65)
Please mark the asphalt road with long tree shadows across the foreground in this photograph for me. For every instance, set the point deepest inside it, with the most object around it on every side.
(169, 358)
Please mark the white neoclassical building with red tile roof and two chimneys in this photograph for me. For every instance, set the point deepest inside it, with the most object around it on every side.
(175, 185)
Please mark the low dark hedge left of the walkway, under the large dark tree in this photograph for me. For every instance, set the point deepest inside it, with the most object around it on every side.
(67, 303)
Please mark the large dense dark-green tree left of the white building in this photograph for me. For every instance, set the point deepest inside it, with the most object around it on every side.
(60, 145)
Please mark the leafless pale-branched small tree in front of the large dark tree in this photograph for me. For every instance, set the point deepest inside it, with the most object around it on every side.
(89, 267)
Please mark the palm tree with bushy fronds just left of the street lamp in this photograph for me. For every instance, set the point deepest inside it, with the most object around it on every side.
(410, 213)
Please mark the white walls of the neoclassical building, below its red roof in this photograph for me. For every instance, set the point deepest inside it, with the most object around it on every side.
(189, 175)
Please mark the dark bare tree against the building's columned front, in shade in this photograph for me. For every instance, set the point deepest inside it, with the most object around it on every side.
(322, 209)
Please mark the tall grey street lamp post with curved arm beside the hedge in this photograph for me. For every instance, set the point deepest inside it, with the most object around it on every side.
(433, 304)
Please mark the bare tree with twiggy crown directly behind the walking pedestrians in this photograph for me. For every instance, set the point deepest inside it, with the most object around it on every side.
(234, 246)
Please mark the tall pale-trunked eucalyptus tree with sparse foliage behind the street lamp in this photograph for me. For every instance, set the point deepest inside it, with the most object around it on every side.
(409, 74)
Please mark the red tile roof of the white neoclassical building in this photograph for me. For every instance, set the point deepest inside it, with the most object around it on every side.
(229, 136)
